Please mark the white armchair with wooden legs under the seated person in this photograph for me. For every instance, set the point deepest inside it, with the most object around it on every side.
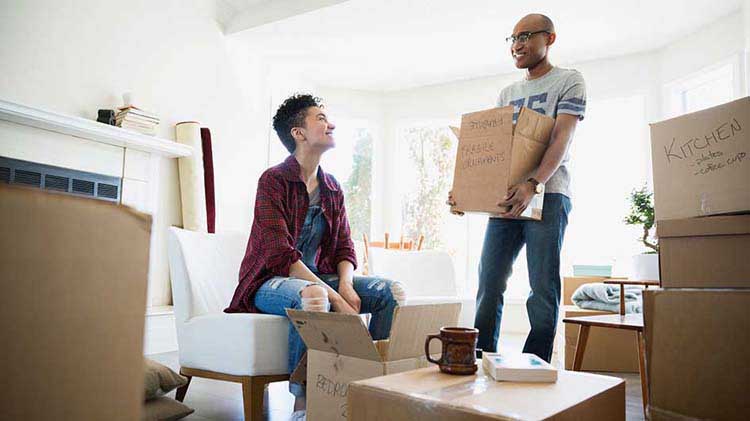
(250, 349)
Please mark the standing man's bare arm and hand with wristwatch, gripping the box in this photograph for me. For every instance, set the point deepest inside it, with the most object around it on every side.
(519, 196)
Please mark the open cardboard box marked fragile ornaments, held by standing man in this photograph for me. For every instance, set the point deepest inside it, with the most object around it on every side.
(493, 155)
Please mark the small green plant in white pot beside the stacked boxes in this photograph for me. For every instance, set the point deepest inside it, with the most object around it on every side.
(646, 264)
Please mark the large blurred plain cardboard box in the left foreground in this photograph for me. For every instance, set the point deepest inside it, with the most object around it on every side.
(73, 305)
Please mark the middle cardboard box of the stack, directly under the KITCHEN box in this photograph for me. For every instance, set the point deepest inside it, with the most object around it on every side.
(709, 252)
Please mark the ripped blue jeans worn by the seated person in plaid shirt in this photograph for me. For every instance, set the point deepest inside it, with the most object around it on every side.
(279, 293)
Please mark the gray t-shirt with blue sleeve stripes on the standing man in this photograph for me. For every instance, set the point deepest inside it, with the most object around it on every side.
(560, 91)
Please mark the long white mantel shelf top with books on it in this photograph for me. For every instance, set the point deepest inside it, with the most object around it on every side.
(91, 130)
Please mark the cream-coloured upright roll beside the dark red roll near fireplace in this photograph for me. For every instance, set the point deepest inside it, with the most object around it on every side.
(192, 182)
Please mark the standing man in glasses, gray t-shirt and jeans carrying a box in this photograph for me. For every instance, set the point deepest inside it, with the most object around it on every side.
(561, 94)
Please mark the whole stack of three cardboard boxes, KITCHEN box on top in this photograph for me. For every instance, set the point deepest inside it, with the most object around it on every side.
(698, 325)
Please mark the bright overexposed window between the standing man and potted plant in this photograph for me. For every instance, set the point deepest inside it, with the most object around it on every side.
(610, 157)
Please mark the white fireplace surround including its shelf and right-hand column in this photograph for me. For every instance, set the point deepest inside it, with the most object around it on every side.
(37, 135)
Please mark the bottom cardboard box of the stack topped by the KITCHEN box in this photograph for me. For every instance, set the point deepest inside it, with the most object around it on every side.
(697, 341)
